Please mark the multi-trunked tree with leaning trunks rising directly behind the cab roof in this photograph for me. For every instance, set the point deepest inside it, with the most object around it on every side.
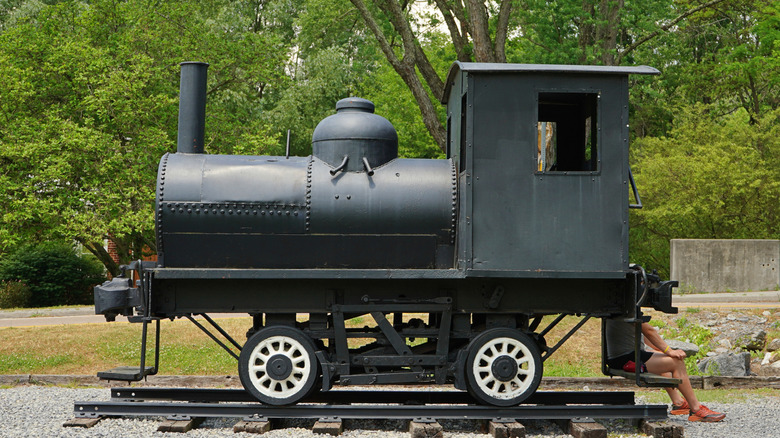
(570, 31)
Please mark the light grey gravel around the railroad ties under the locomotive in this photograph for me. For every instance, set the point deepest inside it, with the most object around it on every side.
(38, 411)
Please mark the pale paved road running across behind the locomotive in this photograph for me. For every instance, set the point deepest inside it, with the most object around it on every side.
(85, 315)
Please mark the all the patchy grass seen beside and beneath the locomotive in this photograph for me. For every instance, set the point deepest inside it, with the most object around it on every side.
(185, 350)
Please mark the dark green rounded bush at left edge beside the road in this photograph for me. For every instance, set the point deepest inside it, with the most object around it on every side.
(54, 272)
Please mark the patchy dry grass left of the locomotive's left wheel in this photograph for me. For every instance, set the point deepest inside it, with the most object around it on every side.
(89, 348)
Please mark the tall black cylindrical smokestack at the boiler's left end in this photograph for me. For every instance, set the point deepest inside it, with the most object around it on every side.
(192, 107)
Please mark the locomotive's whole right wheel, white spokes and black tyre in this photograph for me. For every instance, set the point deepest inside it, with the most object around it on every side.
(503, 367)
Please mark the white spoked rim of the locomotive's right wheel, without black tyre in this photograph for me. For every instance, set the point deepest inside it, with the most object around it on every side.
(488, 383)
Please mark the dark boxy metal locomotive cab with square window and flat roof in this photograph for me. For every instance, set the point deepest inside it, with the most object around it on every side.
(542, 158)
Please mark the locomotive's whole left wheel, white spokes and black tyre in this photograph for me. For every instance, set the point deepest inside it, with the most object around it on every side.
(277, 365)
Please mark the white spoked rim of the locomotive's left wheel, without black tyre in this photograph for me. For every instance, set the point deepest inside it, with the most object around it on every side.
(299, 374)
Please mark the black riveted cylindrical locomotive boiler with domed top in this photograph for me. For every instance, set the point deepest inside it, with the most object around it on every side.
(352, 204)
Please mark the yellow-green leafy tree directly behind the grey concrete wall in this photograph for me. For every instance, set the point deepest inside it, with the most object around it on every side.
(711, 177)
